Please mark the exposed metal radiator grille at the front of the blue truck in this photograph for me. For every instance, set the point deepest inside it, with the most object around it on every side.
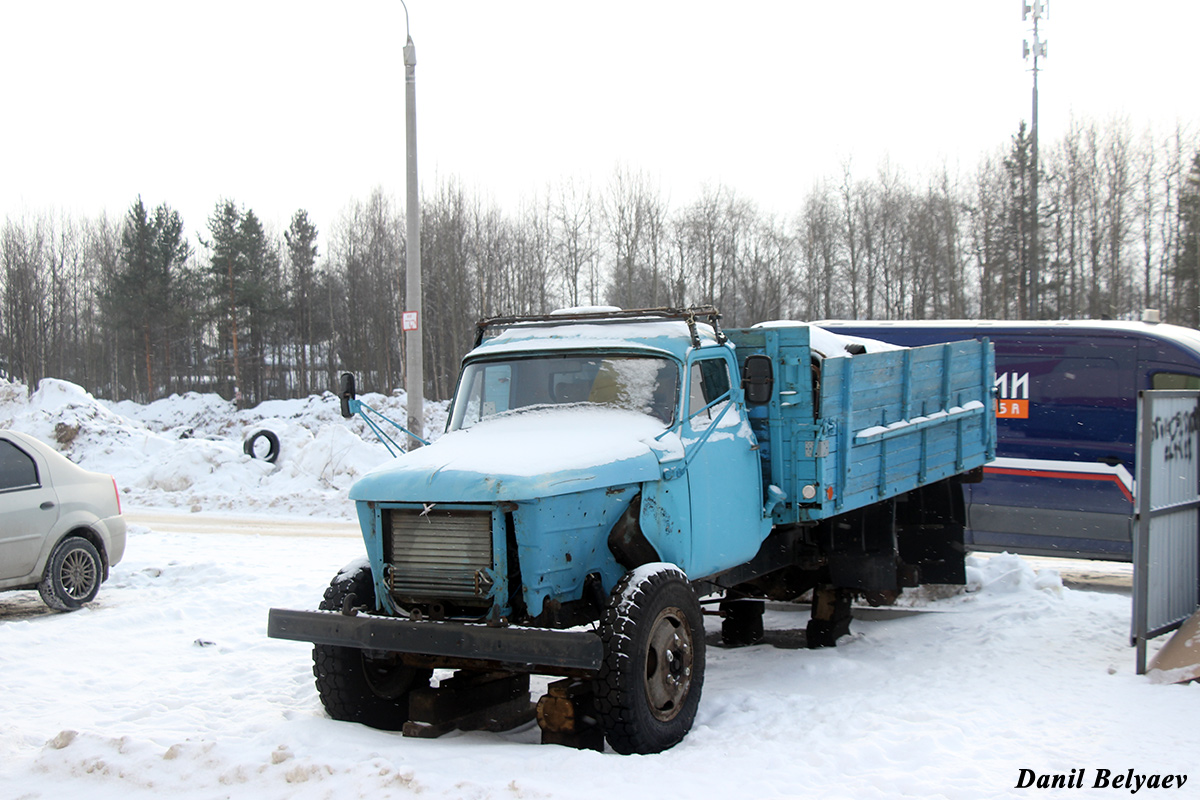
(437, 555)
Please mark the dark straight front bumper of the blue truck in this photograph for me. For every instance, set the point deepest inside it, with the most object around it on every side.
(529, 649)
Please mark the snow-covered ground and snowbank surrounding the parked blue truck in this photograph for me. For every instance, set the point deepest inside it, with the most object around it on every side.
(169, 687)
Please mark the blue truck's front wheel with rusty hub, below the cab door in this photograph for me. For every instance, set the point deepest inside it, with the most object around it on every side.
(650, 683)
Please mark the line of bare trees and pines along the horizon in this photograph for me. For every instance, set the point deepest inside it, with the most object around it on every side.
(136, 309)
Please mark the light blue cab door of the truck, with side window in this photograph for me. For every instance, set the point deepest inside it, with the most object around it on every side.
(724, 470)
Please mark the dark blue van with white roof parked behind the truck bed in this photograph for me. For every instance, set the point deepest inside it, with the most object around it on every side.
(1067, 416)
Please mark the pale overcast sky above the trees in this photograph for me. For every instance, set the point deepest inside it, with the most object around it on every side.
(281, 106)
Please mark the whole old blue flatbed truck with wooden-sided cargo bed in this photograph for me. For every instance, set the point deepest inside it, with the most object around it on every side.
(605, 471)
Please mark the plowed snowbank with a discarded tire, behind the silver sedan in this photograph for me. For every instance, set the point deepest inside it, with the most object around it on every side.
(188, 450)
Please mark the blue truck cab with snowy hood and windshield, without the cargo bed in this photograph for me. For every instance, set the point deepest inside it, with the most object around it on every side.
(573, 454)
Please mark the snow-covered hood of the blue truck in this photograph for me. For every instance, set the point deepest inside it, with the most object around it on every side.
(525, 455)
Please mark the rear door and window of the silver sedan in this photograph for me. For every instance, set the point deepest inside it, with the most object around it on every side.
(28, 510)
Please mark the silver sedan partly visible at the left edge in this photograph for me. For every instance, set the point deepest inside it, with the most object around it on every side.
(61, 526)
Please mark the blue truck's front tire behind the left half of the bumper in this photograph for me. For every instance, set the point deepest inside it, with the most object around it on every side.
(357, 685)
